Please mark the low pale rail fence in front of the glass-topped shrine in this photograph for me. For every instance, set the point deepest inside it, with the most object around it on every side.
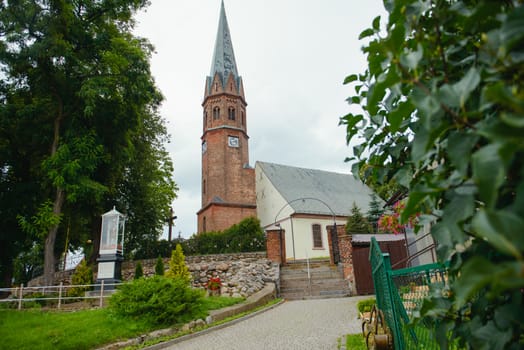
(56, 294)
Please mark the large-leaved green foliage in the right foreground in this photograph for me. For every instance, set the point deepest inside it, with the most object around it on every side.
(443, 115)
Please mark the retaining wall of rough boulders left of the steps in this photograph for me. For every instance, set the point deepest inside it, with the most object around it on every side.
(241, 274)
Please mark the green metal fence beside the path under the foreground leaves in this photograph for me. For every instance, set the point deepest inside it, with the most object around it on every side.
(400, 294)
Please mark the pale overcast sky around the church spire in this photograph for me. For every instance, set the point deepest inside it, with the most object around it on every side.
(292, 55)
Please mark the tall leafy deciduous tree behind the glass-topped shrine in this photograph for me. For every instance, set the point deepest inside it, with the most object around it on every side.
(80, 110)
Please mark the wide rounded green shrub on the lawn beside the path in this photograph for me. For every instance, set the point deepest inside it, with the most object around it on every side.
(158, 300)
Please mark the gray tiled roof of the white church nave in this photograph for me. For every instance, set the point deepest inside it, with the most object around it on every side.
(338, 191)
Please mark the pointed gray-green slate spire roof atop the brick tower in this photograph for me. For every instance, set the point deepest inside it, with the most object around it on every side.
(223, 57)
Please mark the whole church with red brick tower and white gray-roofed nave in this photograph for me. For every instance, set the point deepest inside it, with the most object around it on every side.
(305, 203)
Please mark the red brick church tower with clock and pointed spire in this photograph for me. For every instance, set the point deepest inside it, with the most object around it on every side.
(228, 181)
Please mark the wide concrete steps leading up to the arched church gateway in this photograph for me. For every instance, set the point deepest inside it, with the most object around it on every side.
(323, 281)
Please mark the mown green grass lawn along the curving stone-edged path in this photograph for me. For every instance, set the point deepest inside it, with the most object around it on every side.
(85, 329)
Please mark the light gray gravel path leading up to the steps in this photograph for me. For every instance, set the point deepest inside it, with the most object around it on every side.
(301, 324)
